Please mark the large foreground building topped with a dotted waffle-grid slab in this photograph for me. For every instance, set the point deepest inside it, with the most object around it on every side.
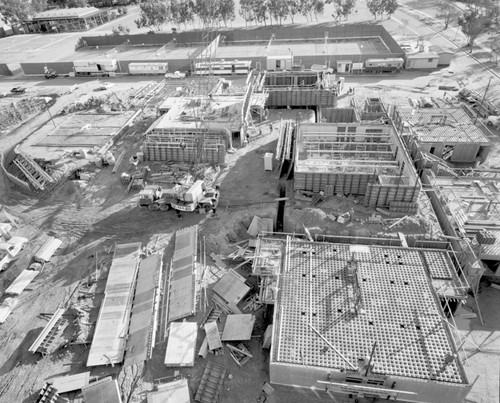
(339, 304)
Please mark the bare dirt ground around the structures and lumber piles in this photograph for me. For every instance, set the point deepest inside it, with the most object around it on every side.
(90, 217)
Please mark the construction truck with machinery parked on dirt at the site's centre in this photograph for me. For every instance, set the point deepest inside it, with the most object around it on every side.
(187, 198)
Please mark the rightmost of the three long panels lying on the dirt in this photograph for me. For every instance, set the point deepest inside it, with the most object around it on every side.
(182, 294)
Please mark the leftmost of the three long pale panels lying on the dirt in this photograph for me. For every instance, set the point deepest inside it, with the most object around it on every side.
(108, 344)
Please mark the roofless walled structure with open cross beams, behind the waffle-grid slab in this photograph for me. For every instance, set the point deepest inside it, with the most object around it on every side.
(361, 159)
